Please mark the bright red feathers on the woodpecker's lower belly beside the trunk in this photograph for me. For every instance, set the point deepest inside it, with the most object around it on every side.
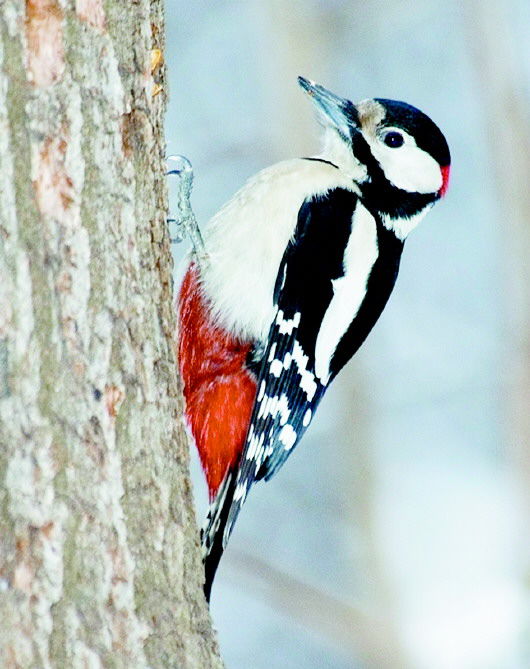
(218, 389)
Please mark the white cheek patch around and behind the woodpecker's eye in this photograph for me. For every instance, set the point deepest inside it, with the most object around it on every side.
(407, 167)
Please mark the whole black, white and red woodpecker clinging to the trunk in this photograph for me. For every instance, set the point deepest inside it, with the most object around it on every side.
(299, 266)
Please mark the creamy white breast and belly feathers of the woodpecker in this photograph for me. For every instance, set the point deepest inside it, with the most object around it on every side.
(247, 238)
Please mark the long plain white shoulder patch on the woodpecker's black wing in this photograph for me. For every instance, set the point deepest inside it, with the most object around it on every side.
(349, 290)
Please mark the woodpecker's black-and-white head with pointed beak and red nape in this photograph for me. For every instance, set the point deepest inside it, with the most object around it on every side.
(396, 154)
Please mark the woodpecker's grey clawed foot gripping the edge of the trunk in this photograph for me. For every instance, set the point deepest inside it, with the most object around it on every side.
(185, 223)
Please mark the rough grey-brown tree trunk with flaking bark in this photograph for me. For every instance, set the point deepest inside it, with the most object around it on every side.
(99, 556)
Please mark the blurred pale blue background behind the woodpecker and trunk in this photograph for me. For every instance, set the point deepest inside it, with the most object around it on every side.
(397, 535)
